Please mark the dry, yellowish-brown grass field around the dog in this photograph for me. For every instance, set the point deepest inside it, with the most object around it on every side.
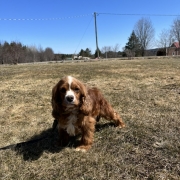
(146, 93)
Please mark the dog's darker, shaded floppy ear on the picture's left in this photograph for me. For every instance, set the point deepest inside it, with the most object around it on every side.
(56, 101)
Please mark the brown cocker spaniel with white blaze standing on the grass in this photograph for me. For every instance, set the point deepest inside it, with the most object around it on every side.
(76, 107)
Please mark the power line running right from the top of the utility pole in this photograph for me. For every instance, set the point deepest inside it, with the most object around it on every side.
(117, 14)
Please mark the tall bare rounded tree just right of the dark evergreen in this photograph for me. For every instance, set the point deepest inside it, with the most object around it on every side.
(144, 30)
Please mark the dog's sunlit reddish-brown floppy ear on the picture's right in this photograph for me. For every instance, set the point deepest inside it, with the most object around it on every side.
(86, 104)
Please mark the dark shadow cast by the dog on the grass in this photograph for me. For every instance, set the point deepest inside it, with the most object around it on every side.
(47, 141)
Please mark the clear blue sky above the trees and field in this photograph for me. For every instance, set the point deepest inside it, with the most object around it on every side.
(74, 28)
